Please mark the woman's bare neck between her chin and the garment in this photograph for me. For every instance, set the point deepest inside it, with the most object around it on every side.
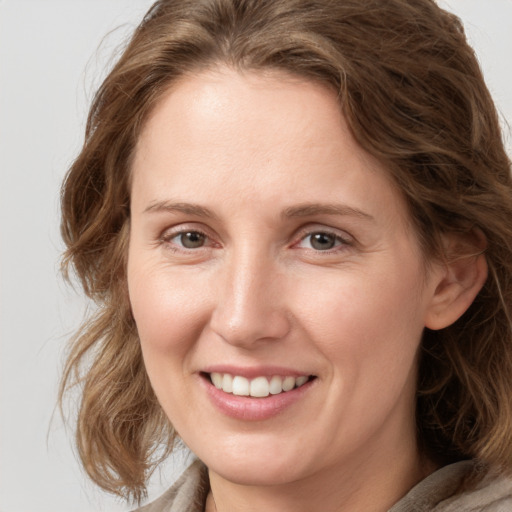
(367, 485)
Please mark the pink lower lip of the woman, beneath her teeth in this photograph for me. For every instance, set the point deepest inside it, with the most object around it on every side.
(254, 409)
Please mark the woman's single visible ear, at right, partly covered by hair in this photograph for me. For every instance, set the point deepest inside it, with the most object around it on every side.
(459, 278)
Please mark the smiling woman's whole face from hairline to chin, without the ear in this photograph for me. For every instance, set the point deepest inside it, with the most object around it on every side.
(278, 290)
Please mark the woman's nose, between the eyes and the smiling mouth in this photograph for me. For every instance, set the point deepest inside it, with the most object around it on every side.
(250, 307)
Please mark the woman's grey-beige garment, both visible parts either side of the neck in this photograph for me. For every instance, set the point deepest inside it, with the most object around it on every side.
(461, 487)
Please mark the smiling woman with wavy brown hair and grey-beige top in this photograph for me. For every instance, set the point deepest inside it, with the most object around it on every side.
(294, 218)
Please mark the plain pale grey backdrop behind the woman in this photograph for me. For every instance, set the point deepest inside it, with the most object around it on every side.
(53, 55)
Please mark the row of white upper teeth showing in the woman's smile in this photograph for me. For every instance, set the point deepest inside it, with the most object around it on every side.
(258, 387)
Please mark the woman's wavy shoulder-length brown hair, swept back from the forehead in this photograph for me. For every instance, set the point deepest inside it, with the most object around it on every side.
(413, 95)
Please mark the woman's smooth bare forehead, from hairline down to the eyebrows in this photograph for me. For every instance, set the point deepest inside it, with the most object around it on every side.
(259, 136)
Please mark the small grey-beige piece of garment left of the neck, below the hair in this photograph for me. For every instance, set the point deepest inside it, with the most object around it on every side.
(188, 494)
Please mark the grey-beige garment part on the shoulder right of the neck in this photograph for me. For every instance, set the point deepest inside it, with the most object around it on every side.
(465, 486)
